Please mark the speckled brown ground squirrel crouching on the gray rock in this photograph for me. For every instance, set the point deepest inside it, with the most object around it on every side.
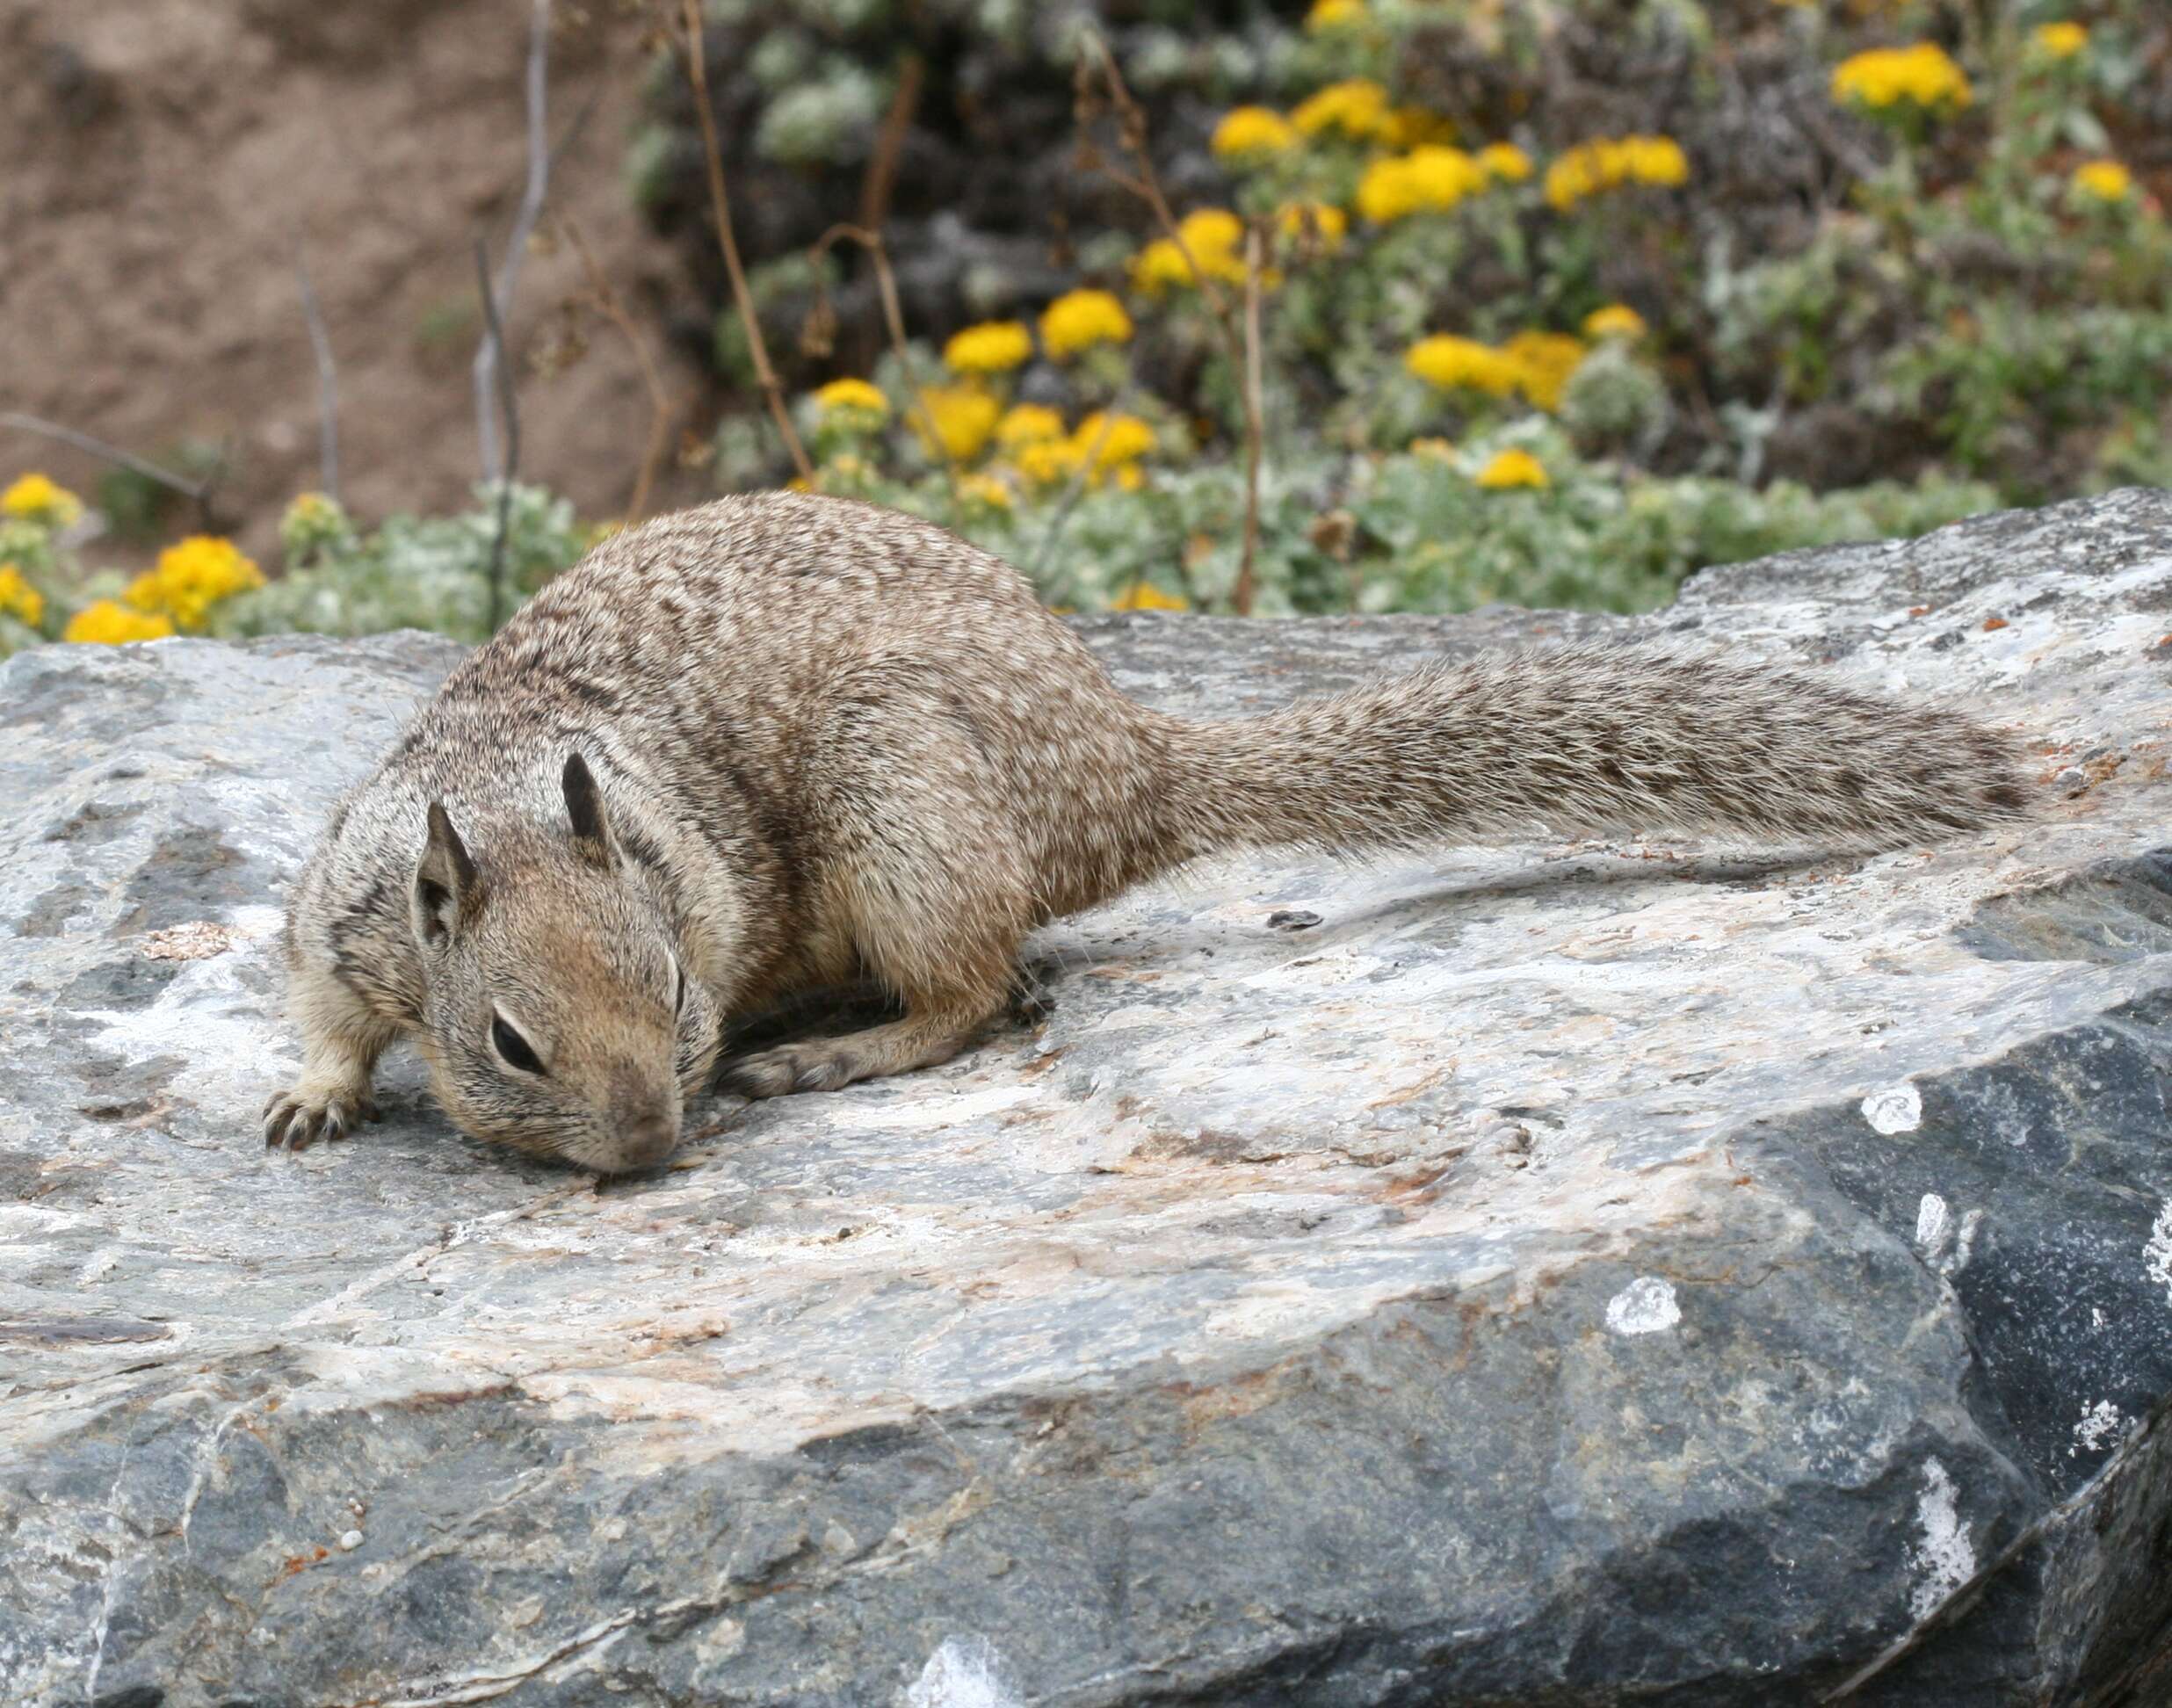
(787, 742)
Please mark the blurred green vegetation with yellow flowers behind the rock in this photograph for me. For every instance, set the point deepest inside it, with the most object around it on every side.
(1532, 301)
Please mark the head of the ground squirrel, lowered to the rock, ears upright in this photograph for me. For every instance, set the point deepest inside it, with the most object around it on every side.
(559, 1018)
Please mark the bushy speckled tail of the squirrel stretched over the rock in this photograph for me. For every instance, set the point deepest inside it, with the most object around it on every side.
(1589, 740)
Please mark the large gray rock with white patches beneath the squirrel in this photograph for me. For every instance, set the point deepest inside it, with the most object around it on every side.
(1556, 1277)
